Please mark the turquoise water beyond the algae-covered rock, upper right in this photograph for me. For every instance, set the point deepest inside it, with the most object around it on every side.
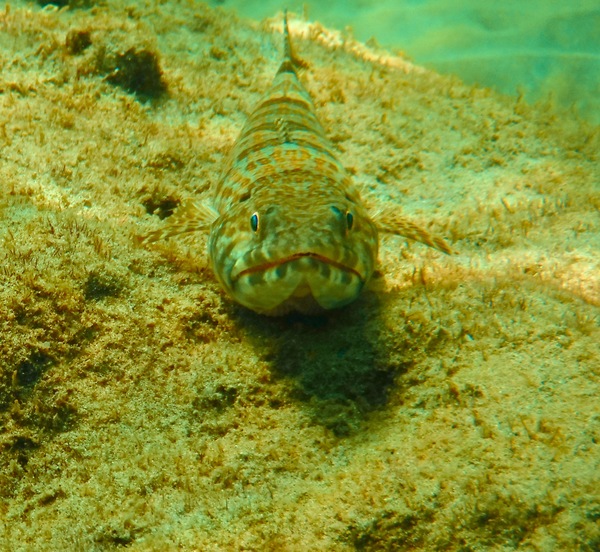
(540, 48)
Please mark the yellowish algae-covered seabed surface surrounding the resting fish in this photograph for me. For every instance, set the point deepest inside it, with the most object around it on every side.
(454, 406)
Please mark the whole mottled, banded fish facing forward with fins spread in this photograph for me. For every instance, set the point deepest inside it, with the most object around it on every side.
(288, 230)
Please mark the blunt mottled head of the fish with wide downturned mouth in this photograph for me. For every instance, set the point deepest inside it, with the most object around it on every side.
(306, 254)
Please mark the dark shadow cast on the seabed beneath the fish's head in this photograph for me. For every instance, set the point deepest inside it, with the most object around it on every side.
(337, 364)
